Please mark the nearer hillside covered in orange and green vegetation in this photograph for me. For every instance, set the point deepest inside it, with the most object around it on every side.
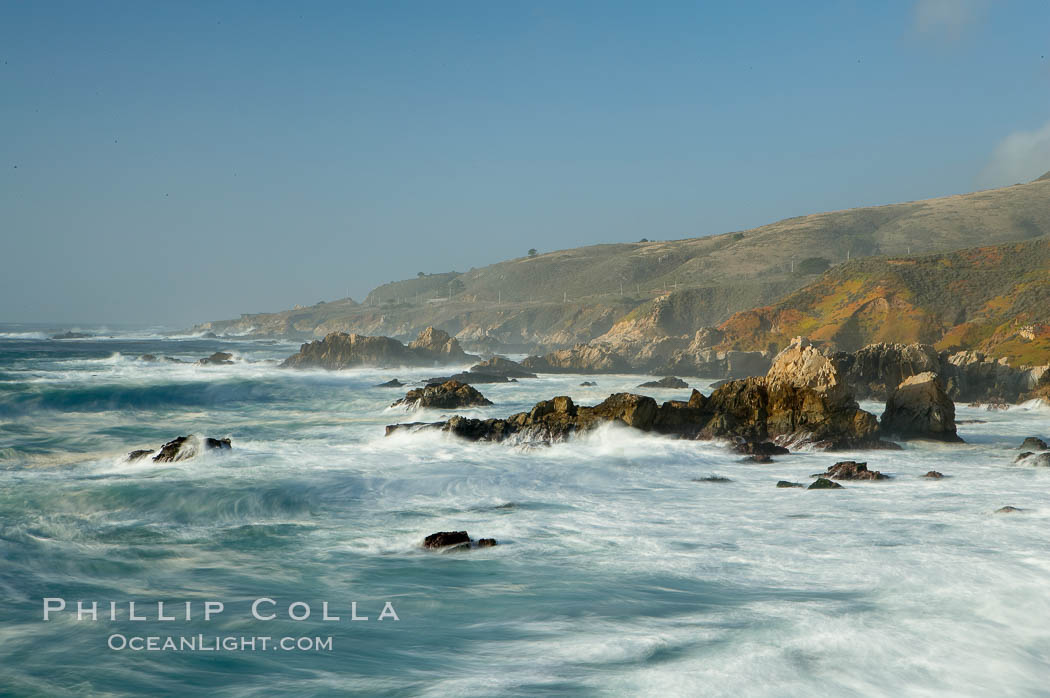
(995, 300)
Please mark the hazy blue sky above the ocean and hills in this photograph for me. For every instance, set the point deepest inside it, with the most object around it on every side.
(167, 162)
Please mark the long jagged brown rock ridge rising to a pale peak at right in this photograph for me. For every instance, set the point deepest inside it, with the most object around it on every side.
(802, 401)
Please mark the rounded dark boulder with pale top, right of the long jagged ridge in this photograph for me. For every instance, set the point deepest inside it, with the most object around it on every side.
(921, 409)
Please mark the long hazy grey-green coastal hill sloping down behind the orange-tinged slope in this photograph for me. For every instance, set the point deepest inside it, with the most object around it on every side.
(576, 295)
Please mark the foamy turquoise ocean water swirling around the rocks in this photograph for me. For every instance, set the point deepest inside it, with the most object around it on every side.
(620, 570)
